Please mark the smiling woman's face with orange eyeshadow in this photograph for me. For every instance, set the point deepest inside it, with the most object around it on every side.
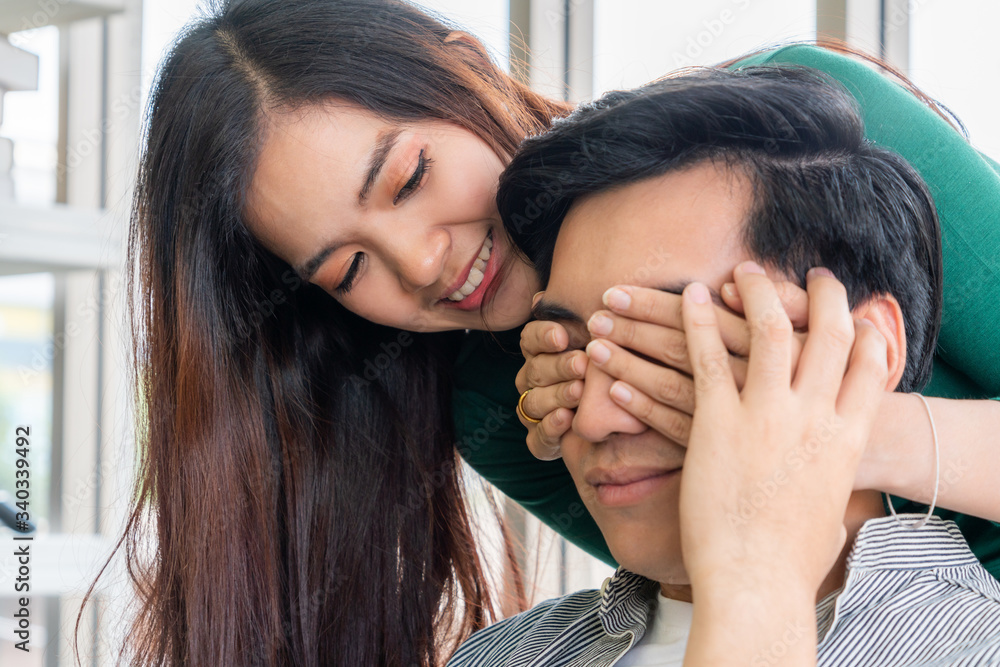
(397, 222)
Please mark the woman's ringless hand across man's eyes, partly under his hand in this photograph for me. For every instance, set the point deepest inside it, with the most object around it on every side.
(643, 324)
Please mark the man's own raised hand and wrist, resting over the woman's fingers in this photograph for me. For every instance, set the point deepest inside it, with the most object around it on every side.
(770, 469)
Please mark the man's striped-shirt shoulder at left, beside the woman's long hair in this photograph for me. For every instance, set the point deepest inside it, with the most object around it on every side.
(531, 631)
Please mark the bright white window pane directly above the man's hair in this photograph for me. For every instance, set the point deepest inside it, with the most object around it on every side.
(636, 41)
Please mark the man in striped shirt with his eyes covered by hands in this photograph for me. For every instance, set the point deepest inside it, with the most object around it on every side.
(722, 168)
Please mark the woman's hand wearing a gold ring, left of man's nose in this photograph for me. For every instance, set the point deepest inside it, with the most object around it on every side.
(556, 382)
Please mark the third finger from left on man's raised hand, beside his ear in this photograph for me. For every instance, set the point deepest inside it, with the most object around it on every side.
(831, 336)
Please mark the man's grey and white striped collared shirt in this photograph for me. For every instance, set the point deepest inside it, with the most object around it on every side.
(910, 597)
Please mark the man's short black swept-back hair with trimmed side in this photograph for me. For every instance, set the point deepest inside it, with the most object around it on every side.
(823, 195)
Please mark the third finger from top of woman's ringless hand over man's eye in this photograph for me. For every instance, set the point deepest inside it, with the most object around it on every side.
(662, 384)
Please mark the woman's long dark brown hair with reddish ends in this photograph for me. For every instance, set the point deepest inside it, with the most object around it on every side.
(298, 479)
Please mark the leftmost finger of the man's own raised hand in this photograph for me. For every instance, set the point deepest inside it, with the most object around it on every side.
(713, 379)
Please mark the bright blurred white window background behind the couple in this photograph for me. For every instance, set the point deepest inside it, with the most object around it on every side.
(74, 77)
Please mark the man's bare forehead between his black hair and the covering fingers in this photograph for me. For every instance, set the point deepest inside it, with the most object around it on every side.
(662, 233)
